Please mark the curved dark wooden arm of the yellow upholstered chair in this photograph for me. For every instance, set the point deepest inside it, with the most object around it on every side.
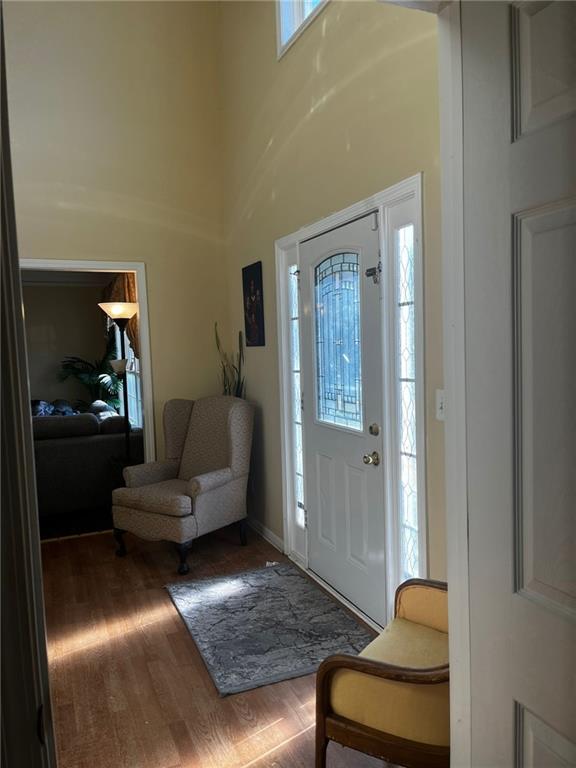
(373, 668)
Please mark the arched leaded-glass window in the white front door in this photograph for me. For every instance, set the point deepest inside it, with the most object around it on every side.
(337, 337)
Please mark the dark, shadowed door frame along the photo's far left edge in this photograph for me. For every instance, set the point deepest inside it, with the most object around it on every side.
(26, 709)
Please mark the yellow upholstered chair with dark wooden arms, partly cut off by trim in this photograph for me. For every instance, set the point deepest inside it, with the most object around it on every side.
(392, 701)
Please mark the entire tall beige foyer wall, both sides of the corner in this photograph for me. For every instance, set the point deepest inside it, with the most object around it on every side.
(169, 133)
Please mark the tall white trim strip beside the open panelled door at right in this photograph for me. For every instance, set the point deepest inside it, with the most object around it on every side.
(452, 163)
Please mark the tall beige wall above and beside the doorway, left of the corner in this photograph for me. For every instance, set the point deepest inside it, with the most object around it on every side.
(115, 123)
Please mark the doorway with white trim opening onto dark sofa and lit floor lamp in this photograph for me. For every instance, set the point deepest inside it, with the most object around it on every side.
(90, 387)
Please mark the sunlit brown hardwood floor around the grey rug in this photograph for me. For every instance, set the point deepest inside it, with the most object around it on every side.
(129, 688)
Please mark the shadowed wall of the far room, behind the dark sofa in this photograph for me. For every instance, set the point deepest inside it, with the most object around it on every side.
(61, 321)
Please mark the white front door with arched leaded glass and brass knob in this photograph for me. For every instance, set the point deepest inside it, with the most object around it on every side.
(342, 414)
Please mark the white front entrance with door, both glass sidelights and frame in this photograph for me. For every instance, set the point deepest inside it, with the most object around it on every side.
(351, 352)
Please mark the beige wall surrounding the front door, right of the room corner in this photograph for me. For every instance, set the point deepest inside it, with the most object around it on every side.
(349, 110)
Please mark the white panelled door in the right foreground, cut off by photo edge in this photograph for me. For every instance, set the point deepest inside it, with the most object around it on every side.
(519, 86)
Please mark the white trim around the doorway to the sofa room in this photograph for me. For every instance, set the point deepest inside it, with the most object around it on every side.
(138, 269)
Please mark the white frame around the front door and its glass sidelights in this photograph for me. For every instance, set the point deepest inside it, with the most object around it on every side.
(287, 253)
